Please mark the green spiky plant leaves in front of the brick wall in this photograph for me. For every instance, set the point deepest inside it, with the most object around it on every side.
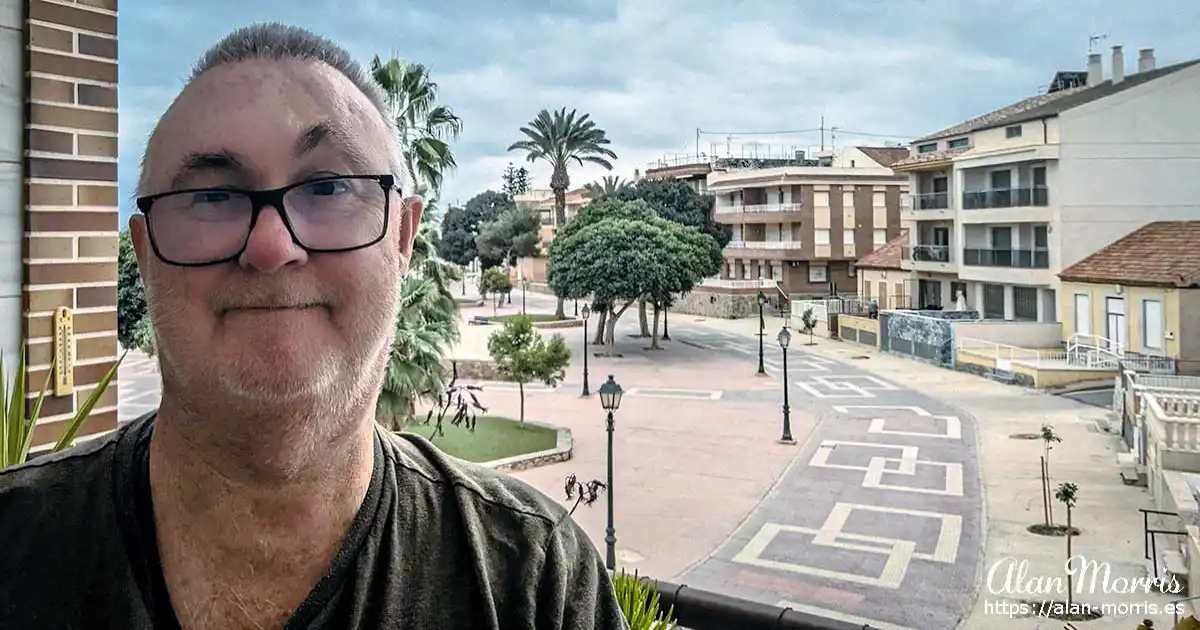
(20, 421)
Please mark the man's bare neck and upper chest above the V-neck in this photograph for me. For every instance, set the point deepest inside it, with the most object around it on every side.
(255, 507)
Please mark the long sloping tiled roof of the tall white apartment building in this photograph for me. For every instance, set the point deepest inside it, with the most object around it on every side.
(1048, 105)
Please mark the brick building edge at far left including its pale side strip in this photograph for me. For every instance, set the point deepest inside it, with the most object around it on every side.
(59, 202)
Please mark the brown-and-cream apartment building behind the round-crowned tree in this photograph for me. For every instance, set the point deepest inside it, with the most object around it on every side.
(799, 227)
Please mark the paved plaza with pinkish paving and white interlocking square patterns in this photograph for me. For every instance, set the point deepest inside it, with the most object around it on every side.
(902, 490)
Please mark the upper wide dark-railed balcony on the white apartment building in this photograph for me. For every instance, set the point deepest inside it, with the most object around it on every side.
(1007, 194)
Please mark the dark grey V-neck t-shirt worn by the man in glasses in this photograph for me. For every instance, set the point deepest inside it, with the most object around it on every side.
(437, 544)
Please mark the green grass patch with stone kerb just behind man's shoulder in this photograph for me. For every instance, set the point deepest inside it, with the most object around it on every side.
(495, 439)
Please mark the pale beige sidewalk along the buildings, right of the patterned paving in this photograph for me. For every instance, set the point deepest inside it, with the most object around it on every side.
(1107, 511)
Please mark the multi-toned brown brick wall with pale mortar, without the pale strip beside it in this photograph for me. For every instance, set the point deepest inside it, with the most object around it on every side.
(71, 220)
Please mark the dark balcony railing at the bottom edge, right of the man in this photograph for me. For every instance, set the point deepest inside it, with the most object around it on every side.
(704, 610)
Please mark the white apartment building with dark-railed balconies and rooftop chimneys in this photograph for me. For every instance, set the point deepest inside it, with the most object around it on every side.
(1005, 202)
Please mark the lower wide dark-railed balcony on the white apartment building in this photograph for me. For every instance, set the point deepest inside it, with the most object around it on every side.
(1016, 254)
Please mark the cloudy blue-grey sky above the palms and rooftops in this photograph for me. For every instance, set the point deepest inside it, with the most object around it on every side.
(651, 73)
